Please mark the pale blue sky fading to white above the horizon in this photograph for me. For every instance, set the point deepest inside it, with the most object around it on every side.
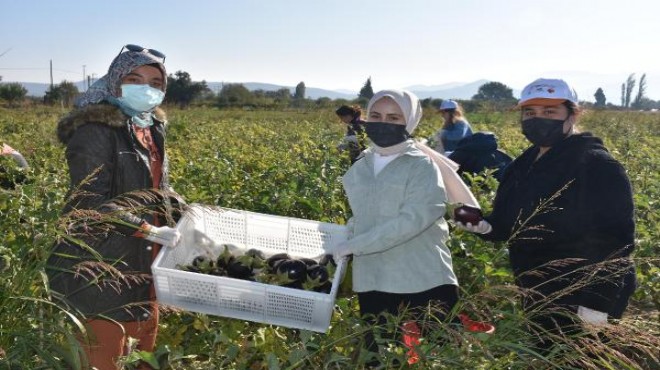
(338, 44)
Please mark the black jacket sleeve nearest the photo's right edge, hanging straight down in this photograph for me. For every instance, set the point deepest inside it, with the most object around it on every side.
(609, 235)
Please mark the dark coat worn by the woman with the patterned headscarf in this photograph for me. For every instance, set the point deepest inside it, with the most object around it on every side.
(106, 163)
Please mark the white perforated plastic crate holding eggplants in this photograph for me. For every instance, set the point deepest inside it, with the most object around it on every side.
(203, 229)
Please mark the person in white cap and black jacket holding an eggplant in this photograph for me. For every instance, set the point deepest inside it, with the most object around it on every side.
(565, 208)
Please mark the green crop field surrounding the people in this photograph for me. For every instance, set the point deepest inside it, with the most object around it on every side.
(286, 163)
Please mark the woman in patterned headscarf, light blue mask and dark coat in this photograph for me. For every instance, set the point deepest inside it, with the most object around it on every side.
(119, 193)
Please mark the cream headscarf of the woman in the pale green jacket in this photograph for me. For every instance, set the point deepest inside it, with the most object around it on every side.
(457, 191)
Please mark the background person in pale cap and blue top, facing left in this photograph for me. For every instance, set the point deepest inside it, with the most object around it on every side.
(454, 129)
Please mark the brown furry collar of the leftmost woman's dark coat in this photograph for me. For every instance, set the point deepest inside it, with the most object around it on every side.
(105, 114)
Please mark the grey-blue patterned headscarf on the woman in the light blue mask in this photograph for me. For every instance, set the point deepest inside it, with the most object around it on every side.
(107, 87)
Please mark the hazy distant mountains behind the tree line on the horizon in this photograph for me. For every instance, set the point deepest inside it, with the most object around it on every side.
(454, 90)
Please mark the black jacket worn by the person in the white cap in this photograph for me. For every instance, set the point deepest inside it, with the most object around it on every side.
(587, 218)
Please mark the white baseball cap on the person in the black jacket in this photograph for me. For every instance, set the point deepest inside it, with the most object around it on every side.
(547, 91)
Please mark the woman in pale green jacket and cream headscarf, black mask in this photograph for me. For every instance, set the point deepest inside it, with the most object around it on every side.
(398, 233)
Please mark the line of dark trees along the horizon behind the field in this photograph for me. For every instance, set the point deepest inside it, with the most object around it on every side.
(183, 92)
